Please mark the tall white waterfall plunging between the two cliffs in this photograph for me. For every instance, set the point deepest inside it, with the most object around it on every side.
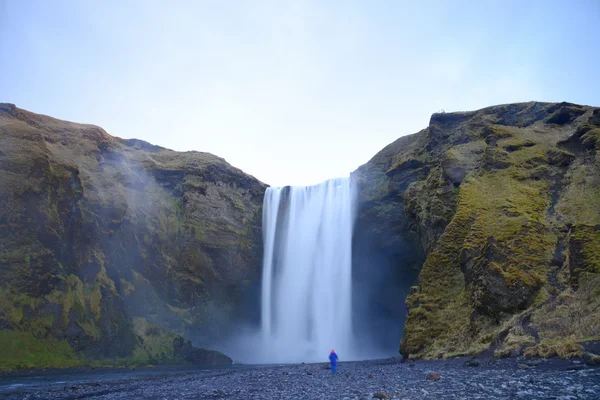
(307, 272)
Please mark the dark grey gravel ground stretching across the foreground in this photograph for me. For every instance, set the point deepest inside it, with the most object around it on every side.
(453, 379)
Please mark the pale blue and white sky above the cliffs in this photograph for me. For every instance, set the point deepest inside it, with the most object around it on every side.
(291, 92)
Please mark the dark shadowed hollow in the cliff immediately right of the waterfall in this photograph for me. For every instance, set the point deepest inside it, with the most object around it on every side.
(386, 262)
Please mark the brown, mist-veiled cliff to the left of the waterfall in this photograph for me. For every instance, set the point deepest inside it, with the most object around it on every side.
(97, 230)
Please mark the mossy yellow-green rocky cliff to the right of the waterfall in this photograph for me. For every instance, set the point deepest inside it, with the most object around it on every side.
(500, 210)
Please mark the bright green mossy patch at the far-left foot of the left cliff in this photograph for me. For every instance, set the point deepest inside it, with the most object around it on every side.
(19, 350)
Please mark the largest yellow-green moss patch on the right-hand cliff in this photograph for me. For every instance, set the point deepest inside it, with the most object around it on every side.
(504, 204)
